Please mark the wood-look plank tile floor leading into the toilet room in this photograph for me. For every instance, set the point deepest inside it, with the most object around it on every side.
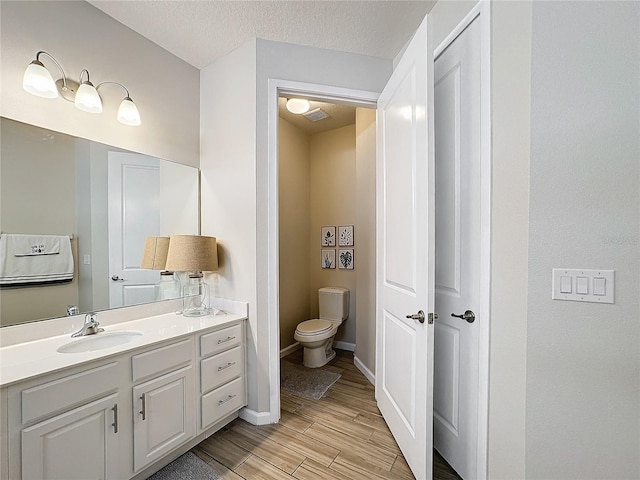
(341, 436)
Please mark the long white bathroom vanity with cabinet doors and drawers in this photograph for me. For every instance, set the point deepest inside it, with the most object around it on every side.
(127, 414)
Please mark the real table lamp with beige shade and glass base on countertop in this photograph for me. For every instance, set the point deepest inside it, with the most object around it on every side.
(193, 254)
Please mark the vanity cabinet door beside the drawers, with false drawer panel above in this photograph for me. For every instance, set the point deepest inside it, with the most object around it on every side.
(163, 413)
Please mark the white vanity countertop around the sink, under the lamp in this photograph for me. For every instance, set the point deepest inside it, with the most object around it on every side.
(29, 359)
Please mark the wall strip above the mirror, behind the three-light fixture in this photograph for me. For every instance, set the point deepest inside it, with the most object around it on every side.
(79, 36)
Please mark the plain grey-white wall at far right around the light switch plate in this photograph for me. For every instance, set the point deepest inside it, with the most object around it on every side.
(583, 359)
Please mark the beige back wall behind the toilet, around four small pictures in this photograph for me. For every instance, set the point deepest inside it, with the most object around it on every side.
(333, 202)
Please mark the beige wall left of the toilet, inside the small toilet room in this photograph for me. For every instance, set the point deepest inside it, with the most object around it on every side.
(294, 229)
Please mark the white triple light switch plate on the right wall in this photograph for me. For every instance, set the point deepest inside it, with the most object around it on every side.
(595, 286)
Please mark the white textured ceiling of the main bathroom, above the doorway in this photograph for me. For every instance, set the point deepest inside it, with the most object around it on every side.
(201, 31)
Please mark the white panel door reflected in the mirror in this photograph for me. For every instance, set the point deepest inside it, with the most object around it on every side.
(134, 213)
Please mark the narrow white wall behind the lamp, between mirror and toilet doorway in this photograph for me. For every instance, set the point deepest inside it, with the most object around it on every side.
(228, 189)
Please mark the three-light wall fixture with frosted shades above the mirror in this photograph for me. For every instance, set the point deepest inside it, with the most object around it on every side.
(38, 81)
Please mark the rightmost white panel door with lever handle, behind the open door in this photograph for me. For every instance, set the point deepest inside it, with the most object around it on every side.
(457, 159)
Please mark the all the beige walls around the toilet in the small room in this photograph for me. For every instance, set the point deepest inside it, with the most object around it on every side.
(326, 180)
